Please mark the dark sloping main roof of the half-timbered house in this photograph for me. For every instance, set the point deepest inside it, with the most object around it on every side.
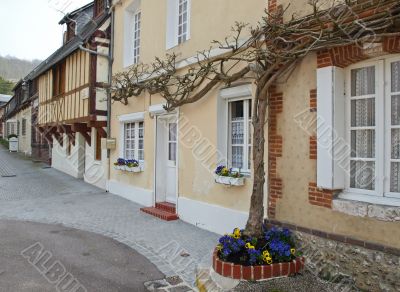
(68, 48)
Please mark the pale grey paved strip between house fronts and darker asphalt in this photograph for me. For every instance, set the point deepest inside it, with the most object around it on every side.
(45, 195)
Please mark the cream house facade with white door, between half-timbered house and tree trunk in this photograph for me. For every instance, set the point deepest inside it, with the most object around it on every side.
(176, 170)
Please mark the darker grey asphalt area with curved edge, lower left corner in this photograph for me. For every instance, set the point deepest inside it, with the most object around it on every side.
(95, 262)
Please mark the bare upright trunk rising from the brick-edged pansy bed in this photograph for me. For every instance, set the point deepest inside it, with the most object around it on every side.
(254, 226)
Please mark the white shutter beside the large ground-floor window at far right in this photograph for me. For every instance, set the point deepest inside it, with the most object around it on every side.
(332, 149)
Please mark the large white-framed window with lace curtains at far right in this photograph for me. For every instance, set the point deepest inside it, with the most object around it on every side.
(373, 127)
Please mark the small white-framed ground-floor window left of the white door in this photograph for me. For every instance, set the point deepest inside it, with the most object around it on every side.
(134, 141)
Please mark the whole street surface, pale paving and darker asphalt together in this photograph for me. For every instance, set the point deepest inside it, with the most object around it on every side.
(33, 192)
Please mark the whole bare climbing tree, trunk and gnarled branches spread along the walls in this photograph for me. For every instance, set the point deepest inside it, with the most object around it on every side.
(270, 53)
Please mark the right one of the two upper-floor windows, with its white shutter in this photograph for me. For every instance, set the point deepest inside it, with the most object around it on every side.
(178, 22)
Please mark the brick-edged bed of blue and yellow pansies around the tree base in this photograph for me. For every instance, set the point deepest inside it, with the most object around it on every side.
(243, 257)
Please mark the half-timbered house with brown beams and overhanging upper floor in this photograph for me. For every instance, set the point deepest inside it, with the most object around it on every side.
(71, 107)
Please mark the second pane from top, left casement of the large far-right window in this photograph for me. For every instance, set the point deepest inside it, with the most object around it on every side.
(363, 112)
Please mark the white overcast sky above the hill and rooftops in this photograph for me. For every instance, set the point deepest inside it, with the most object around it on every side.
(29, 29)
